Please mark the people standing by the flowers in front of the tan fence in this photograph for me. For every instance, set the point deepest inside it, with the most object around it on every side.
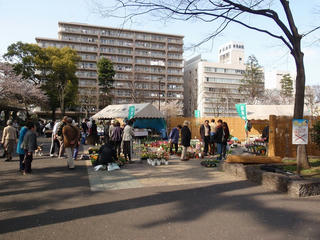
(214, 137)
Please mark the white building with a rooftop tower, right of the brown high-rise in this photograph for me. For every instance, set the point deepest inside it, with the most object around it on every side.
(212, 87)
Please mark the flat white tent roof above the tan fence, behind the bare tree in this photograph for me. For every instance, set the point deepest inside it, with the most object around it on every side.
(263, 111)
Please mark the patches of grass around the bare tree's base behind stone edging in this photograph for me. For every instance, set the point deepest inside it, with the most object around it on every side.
(314, 171)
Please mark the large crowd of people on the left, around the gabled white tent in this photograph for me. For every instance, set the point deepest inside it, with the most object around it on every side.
(66, 138)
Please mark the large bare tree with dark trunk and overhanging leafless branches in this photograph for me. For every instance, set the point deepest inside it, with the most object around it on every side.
(225, 12)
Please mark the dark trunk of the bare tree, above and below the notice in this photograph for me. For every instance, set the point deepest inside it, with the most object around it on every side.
(302, 157)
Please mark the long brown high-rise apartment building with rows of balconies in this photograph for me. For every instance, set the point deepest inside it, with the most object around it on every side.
(148, 65)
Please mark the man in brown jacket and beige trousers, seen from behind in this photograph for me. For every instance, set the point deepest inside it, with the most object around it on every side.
(71, 137)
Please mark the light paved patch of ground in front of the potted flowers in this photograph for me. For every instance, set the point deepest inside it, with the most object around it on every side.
(143, 175)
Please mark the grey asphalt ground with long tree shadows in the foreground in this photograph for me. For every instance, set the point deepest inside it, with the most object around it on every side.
(56, 203)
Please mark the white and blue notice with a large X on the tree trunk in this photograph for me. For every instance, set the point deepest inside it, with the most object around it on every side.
(299, 131)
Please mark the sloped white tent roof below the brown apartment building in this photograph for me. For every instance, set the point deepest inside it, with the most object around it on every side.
(142, 110)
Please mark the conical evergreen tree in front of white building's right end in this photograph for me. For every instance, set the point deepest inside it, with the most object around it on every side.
(252, 83)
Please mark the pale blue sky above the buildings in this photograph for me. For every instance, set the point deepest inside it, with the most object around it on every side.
(22, 20)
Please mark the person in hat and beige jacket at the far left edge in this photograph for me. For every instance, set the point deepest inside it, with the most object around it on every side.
(9, 138)
